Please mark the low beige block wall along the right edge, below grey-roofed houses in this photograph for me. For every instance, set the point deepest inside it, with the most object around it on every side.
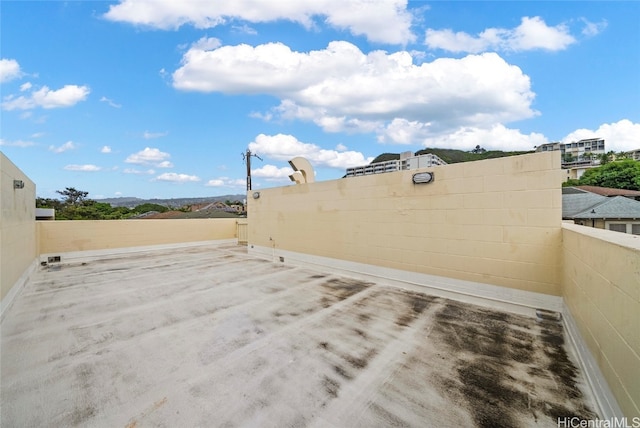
(601, 288)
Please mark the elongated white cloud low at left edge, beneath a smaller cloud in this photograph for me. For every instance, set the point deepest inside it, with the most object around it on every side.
(44, 97)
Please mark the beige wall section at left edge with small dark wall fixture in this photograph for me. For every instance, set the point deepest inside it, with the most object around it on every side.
(17, 226)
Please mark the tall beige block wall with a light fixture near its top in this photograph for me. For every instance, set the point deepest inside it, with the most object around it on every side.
(495, 221)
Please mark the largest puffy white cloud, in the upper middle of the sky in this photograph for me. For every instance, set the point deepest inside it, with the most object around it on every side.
(341, 89)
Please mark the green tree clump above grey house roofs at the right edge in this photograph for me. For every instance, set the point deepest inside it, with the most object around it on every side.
(623, 174)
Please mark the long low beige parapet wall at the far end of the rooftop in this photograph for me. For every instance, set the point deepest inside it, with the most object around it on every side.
(81, 235)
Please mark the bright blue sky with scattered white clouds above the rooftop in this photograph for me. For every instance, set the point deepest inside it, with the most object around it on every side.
(160, 98)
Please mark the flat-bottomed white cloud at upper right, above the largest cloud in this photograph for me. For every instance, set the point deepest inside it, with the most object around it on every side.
(532, 33)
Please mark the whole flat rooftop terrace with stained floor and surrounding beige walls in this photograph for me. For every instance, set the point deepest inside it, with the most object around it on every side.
(379, 300)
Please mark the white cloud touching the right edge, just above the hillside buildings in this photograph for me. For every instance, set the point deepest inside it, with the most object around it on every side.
(620, 136)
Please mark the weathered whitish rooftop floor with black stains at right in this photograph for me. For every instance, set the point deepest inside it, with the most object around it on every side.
(209, 336)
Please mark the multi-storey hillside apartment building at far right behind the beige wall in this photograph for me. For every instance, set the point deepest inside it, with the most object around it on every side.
(577, 156)
